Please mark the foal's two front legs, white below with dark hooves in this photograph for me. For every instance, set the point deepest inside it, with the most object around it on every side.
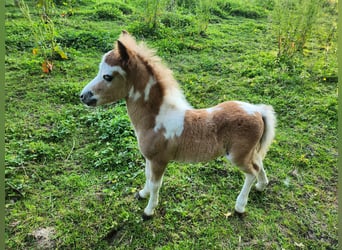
(154, 178)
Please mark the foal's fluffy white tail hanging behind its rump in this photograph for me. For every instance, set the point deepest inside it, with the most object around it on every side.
(269, 118)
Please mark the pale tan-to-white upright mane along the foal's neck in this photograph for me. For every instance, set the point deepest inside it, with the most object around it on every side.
(162, 74)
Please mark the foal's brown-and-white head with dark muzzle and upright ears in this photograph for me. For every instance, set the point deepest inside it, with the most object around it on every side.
(111, 83)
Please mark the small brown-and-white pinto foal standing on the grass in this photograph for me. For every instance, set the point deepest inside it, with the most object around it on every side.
(168, 128)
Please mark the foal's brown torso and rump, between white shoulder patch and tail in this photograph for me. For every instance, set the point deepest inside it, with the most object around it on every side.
(212, 132)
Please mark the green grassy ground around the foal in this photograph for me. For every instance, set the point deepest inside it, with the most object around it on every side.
(76, 170)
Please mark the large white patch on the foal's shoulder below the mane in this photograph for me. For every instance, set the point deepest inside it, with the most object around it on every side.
(171, 114)
